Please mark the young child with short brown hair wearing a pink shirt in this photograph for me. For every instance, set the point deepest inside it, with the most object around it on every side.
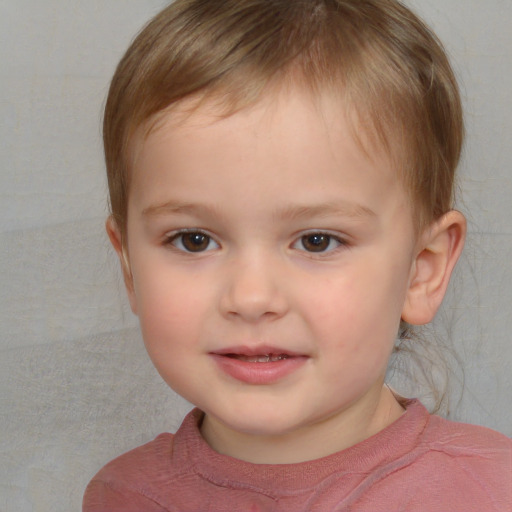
(281, 177)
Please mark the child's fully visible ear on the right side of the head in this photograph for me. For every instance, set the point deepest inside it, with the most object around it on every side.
(440, 246)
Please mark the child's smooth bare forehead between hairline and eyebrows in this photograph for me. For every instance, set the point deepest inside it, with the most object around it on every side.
(289, 147)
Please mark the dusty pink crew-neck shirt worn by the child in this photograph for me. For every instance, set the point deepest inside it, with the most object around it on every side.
(418, 463)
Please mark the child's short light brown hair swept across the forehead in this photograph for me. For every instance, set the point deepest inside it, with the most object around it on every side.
(387, 64)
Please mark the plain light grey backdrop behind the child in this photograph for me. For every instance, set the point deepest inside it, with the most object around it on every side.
(76, 387)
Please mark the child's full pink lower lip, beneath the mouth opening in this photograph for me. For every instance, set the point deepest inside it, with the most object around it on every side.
(259, 373)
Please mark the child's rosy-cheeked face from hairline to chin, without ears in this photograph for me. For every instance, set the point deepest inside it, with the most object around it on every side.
(270, 258)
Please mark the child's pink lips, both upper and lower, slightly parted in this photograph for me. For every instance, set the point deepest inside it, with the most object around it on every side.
(258, 373)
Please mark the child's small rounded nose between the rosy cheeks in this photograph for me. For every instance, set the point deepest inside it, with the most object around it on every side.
(254, 290)
